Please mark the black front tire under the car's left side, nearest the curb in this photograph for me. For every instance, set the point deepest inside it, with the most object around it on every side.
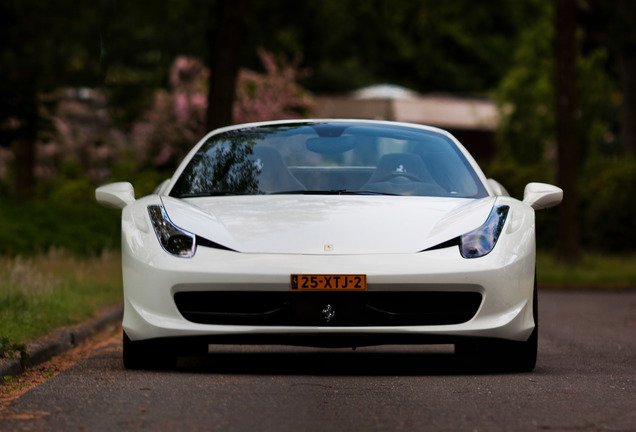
(147, 355)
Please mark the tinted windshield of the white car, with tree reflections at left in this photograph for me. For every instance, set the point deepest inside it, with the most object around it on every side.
(329, 158)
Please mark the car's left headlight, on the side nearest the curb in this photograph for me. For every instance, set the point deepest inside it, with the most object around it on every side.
(173, 239)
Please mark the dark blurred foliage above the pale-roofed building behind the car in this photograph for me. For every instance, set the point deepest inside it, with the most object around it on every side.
(426, 45)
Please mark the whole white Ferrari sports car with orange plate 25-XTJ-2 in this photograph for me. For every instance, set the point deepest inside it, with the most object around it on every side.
(332, 233)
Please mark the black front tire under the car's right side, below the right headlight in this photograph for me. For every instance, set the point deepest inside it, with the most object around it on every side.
(505, 355)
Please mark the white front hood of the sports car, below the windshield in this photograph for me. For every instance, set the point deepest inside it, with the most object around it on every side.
(310, 224)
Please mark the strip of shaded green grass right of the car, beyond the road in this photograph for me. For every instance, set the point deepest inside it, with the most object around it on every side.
(596, 271)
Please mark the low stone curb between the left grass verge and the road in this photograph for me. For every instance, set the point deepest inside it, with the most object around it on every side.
(59, 341)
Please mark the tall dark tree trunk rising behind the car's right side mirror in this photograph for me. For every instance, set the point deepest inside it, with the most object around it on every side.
(569, 244)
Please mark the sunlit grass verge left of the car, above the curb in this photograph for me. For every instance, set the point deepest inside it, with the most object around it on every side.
(53, 290)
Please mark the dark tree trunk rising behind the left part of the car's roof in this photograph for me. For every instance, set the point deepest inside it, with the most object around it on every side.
(225, 61)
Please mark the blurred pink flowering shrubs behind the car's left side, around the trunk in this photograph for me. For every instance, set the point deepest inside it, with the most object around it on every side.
(82, 132)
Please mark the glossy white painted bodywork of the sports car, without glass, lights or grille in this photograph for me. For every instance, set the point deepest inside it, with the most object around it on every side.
(384, 237)
